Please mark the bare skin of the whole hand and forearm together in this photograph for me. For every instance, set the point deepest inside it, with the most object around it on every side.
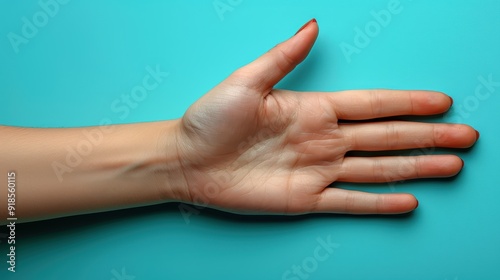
(244, 147)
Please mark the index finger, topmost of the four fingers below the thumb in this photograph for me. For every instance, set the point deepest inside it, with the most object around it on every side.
(378, 103)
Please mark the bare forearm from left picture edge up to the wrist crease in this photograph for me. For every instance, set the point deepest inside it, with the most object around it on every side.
(70, 171)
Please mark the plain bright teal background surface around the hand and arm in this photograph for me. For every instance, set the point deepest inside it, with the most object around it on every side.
(73, 65)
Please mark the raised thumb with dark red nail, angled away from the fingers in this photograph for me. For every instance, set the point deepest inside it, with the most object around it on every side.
(266, 71)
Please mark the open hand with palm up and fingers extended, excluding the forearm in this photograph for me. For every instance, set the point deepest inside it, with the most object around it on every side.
(249, 148)
